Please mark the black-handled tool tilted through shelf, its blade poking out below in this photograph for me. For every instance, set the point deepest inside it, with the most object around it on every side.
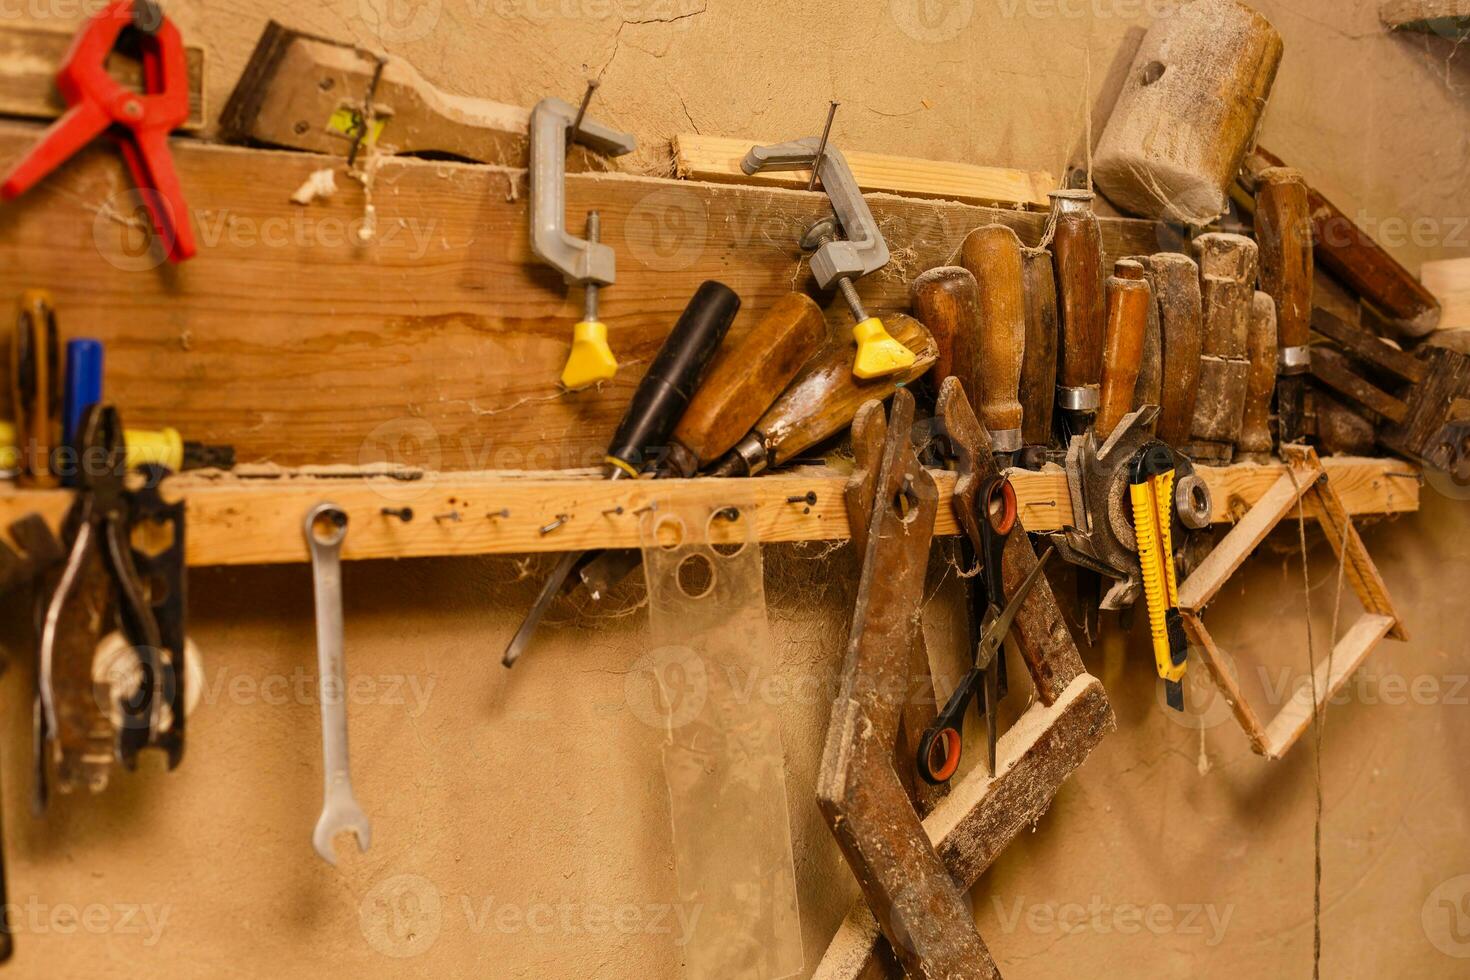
(656, 409)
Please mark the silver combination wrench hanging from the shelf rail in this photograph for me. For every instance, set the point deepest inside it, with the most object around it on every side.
(326, 528)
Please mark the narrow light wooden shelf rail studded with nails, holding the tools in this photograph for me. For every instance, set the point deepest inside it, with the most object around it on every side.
(254, 521)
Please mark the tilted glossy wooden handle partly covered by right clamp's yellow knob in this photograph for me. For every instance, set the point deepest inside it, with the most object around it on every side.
(822, 402)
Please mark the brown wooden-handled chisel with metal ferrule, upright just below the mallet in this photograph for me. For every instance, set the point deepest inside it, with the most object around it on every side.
(1284, 233)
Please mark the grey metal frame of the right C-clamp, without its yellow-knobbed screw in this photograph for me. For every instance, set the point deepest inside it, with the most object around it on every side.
(864, 252)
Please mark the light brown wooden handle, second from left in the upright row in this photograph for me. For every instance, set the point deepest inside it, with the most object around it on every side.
(994, 258)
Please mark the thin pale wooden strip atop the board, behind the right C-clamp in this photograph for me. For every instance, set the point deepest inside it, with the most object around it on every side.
(718, 159)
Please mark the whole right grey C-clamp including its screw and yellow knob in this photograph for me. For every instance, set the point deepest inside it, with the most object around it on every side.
(847, 248)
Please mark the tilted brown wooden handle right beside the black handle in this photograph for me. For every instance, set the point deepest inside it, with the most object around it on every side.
(746, 380)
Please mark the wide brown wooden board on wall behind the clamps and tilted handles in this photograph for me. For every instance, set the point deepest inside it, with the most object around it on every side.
(299, 345)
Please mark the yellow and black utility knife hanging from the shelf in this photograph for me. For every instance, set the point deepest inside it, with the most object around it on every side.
(1152, 491)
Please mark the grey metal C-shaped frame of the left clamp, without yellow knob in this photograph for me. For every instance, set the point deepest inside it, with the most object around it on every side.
(580, 261)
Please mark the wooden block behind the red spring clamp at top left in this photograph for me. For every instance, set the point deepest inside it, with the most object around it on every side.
(30, 60)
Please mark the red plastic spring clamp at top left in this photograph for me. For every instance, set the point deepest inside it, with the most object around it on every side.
(140, 121)
